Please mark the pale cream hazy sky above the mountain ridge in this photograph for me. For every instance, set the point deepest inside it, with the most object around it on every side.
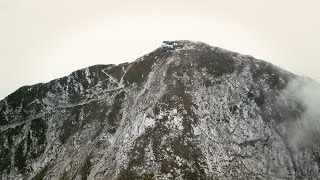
(41, 40)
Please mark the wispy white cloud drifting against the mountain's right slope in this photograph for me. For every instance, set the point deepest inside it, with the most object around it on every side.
(307, 128)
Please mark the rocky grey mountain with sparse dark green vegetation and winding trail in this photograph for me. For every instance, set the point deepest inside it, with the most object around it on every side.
(198, 112)
